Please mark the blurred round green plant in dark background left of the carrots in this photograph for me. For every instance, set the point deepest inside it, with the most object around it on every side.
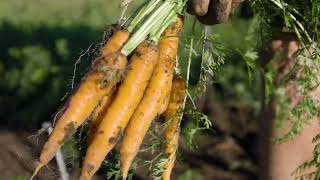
(33, 71)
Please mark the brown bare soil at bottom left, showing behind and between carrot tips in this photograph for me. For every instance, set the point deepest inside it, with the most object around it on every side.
(19, 154)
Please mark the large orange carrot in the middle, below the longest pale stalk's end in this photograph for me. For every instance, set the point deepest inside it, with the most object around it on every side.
(127, 99)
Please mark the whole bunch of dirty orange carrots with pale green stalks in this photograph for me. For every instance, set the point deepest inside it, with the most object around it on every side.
(123, 97)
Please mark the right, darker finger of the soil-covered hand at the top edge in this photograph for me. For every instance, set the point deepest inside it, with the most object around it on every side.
(218, 12)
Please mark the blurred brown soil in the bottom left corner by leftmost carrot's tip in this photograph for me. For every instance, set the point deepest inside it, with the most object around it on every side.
(18, 157)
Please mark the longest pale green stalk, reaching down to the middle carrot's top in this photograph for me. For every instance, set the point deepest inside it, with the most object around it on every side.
(147, 27)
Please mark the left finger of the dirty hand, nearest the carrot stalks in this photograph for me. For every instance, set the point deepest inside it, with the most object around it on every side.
(198, 7)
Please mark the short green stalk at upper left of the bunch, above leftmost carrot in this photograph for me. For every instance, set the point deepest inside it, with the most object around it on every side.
(145, 10)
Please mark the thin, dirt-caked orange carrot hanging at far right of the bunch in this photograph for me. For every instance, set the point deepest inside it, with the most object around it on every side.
(172, 117)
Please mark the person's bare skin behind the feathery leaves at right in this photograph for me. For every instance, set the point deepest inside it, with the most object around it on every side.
(281, 160)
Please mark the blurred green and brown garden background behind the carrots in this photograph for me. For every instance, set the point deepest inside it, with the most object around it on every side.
(41, 43)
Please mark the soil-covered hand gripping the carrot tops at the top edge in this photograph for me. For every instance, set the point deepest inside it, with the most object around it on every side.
(212, 12)
